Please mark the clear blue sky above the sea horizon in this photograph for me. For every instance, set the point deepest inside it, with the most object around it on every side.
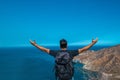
(48, 21)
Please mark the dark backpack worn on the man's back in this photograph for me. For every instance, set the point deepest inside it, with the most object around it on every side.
(63, 67)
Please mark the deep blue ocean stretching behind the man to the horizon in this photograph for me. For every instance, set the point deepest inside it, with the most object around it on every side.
(29, 63)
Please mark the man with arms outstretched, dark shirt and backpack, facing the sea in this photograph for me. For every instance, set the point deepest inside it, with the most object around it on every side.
(64, 69)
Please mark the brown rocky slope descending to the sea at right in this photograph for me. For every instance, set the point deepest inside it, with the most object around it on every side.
(105, 61)
